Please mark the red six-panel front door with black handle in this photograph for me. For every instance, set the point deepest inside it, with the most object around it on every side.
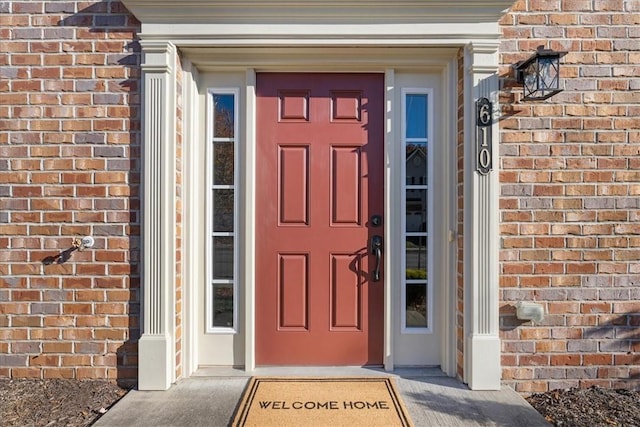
(319, 183)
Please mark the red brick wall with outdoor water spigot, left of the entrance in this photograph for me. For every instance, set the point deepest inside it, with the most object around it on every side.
(69, 167)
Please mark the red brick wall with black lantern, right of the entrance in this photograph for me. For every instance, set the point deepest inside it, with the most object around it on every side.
(570, 205)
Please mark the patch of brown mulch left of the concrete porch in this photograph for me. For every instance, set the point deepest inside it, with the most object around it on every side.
(56, 402)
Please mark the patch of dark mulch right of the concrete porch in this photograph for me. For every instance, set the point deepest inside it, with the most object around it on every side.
(589, 407)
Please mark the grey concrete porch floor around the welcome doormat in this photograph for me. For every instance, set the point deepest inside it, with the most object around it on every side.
(209, 398)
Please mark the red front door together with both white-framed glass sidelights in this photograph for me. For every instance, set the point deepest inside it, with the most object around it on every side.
(323, 162)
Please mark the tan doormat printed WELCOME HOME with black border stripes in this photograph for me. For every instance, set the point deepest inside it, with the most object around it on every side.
(295, 401)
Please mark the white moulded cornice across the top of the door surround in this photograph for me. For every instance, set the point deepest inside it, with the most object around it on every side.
(196, 22)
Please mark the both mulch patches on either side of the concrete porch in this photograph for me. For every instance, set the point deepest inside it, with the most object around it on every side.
(74, 403)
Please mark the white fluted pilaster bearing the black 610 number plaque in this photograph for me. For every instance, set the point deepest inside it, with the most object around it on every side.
(481, 234)
